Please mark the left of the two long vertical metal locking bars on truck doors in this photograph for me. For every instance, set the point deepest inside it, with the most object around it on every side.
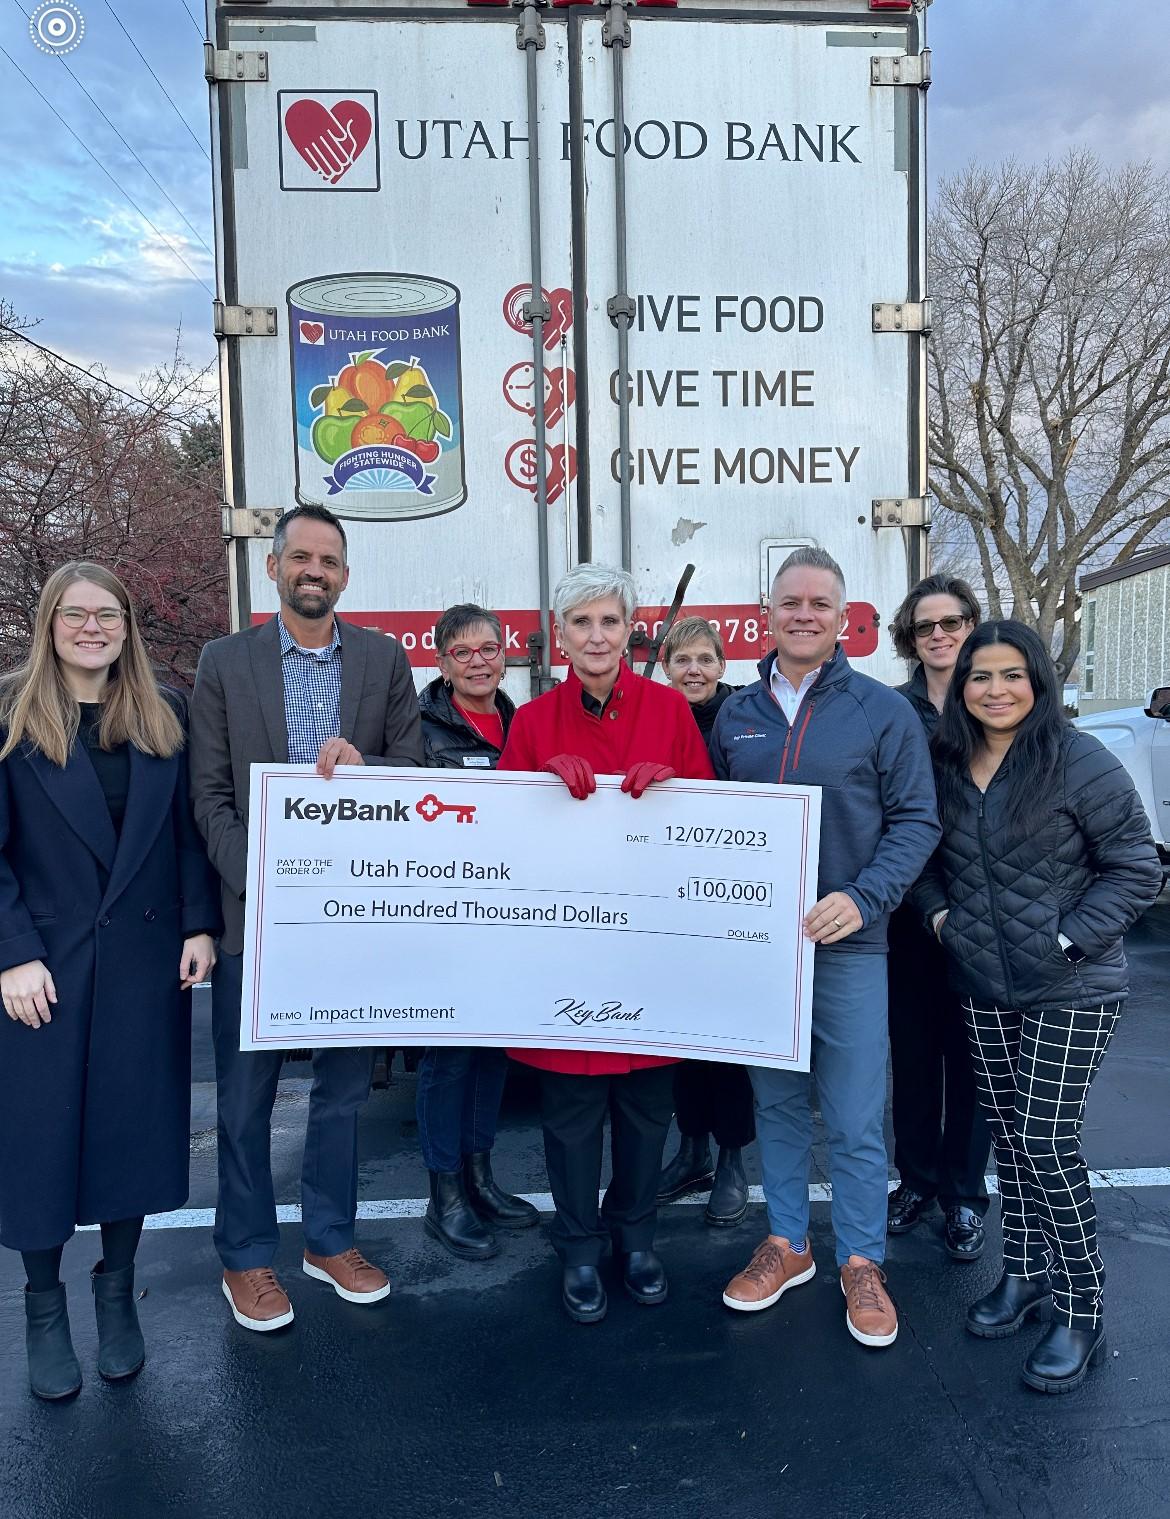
(531, 40)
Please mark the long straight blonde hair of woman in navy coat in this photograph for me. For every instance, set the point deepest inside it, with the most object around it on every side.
(40, 710)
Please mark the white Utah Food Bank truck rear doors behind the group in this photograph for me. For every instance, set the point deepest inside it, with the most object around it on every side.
(449, 309)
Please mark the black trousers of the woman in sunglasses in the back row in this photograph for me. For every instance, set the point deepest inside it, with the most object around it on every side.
(941, 1140)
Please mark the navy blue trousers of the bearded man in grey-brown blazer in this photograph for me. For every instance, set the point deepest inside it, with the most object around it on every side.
(247, 1233)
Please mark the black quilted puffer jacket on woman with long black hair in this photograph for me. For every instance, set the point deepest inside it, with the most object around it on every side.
(1086, 870)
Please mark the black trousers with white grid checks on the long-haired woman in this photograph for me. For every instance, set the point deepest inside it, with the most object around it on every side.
(1034, 1072)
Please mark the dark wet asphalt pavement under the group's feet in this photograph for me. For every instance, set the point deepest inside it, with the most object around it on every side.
(469, 1392)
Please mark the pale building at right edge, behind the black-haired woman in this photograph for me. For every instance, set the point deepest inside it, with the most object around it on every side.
(1125, 636)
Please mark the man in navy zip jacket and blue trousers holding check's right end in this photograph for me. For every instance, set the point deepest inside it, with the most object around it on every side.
(814, 721)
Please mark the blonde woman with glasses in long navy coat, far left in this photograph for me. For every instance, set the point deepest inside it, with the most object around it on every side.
(107, 912)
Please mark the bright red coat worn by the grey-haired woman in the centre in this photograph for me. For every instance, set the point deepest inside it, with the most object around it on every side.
(642, 722)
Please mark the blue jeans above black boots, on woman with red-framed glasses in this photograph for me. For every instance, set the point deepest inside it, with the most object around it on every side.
(458, 1104)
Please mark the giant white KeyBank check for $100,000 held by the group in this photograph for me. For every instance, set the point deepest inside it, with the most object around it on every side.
(435, 908)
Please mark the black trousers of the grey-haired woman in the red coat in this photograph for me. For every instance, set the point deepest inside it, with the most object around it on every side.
(574, 1110)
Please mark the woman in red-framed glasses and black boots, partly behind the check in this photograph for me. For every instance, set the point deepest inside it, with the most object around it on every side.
(466, 721)
